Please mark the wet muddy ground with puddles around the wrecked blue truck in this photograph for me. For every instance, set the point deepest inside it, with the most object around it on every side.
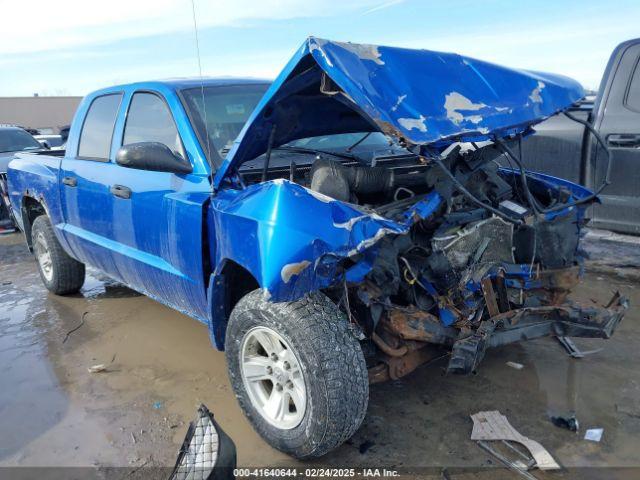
(161, 366)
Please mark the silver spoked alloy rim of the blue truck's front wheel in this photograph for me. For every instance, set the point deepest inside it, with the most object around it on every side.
(273, 378)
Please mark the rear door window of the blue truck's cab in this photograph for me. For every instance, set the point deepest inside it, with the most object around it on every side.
(98, 127)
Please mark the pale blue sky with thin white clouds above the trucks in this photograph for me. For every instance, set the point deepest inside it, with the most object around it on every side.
(70, 47)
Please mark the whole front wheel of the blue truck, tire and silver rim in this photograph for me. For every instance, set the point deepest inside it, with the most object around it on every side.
(298, 372)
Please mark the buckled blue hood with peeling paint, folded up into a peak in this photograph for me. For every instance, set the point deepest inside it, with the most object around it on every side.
(419, 96)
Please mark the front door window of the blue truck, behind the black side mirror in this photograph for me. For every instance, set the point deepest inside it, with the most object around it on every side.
(150, 120)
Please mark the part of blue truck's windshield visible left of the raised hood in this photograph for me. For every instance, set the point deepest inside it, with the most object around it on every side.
(227, 109)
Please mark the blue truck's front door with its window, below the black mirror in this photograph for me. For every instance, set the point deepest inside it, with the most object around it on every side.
(158, 216)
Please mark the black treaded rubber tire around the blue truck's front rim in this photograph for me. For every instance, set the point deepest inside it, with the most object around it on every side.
(332, 362)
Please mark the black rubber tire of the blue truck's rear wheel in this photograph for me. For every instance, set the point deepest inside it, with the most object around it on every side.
(67, 275)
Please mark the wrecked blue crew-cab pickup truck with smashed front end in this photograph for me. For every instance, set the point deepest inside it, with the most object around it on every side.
(334, 228)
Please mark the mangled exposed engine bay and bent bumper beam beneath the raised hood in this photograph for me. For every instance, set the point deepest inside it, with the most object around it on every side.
(493, 265)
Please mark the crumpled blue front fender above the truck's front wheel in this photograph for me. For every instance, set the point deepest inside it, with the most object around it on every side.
(295, 241)
